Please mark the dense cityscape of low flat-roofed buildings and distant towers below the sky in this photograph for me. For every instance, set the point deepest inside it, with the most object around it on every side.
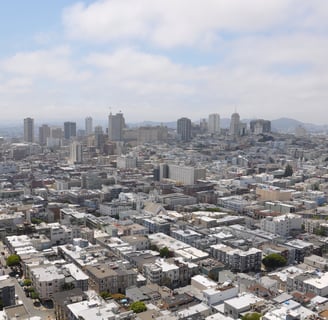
(151, 222)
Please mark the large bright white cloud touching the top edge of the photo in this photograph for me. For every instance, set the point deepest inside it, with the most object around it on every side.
(169, 23)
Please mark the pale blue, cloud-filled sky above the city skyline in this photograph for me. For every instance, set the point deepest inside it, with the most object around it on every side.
(164, 59)
